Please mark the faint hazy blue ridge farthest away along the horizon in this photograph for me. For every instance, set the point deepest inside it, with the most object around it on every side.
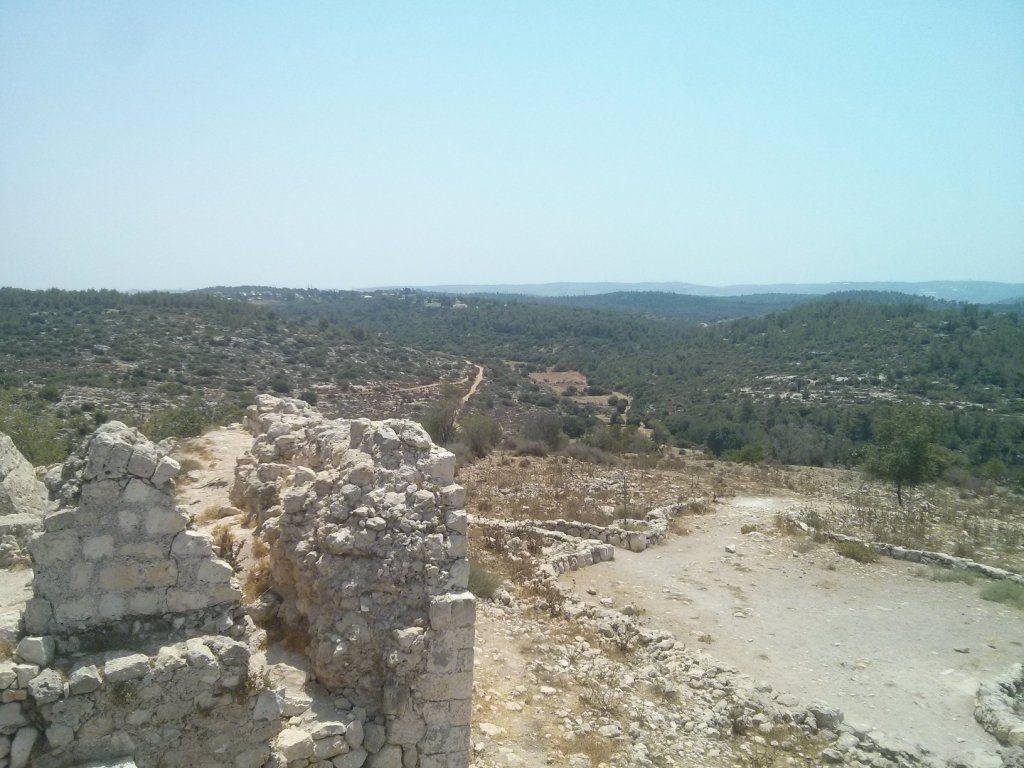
(978, 292)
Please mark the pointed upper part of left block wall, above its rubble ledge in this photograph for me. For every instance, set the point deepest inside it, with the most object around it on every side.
(117, 550)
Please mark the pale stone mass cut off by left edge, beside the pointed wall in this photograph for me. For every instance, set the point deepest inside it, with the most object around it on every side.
(23, 503)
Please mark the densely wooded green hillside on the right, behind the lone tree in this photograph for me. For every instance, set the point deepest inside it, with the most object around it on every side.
(804, 386)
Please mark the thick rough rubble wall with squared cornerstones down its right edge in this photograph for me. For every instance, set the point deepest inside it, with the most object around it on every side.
(368, 544)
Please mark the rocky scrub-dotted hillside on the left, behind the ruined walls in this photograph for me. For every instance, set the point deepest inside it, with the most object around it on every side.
(176, 364)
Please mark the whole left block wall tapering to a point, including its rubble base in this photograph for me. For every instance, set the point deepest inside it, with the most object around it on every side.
(127, 654)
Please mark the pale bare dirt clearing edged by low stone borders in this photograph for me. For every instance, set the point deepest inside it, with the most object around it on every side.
(893, 651)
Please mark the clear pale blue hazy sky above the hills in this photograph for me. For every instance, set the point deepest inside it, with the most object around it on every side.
(178, 145)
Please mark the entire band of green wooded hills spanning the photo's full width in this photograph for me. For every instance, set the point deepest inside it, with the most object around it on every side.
(804, 386)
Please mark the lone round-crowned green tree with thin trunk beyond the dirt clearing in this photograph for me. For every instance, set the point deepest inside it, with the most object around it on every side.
(905, 451)
